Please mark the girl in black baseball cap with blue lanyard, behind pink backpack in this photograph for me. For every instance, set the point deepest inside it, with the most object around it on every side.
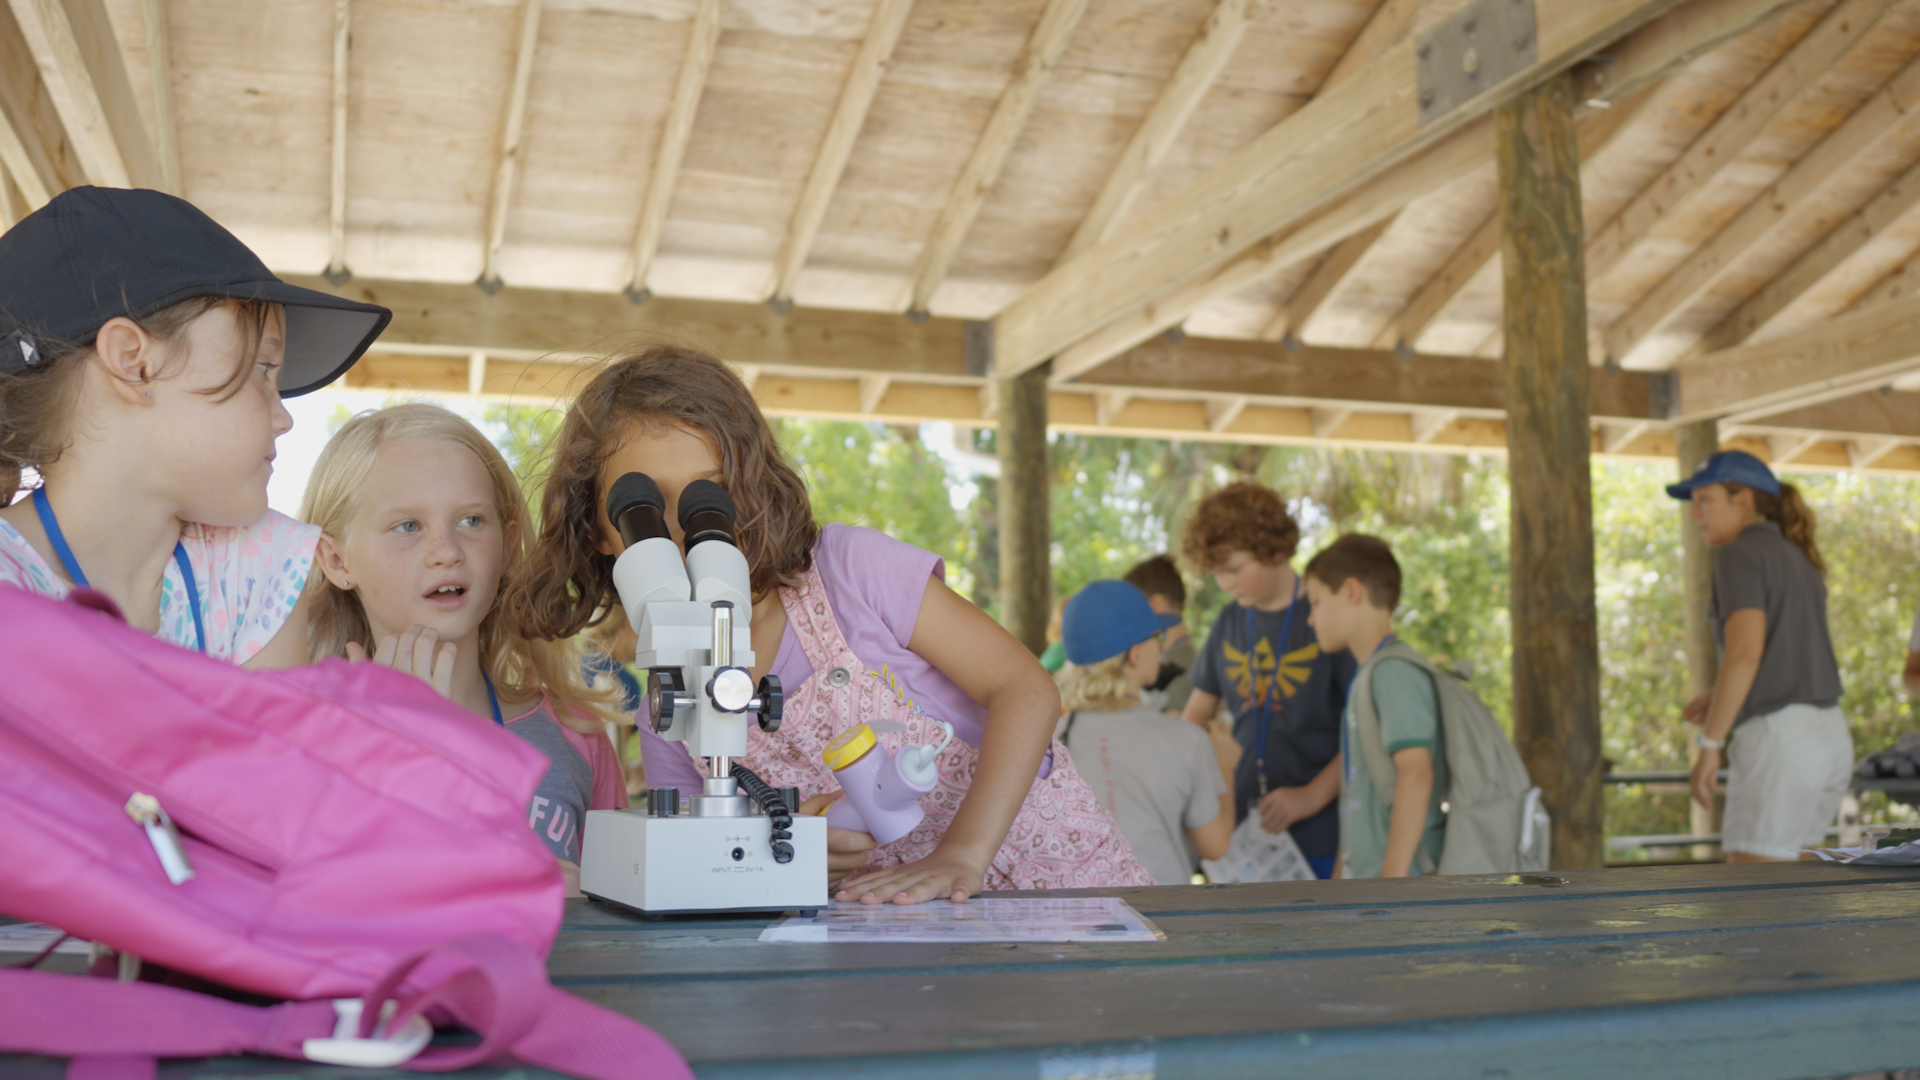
(143, 360)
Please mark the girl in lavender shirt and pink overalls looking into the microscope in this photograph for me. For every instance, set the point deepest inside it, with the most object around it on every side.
(857, 627)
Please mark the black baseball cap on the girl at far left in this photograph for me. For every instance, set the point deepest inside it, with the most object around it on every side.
(97, 255)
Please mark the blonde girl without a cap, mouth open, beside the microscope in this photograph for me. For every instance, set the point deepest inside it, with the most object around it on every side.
(421, 531)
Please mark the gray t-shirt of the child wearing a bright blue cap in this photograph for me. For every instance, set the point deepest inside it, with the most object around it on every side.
(1157, 775)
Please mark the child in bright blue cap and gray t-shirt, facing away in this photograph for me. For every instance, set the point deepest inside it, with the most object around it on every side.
(1163, 779)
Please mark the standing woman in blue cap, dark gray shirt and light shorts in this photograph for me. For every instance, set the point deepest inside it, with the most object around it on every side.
(1779, 683)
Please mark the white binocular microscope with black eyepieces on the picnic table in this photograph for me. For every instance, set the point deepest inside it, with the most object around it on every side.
(738, 847)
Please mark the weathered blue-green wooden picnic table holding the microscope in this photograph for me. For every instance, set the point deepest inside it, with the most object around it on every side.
(1742, 971)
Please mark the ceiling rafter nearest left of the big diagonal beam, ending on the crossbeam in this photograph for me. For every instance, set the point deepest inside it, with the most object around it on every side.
(992, 151)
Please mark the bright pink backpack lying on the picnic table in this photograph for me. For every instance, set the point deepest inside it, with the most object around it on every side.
(347, 833)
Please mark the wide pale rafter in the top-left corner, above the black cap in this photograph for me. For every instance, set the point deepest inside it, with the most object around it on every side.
(87, 80)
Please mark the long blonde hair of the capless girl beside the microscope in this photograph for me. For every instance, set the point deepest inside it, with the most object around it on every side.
(512, 660)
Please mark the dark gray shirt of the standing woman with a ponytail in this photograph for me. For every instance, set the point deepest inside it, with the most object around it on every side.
(1767, 572)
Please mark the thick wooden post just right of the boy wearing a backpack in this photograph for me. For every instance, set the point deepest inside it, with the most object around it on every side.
(1556, 645)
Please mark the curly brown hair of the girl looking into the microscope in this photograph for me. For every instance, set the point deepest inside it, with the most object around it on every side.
(571, 579)
